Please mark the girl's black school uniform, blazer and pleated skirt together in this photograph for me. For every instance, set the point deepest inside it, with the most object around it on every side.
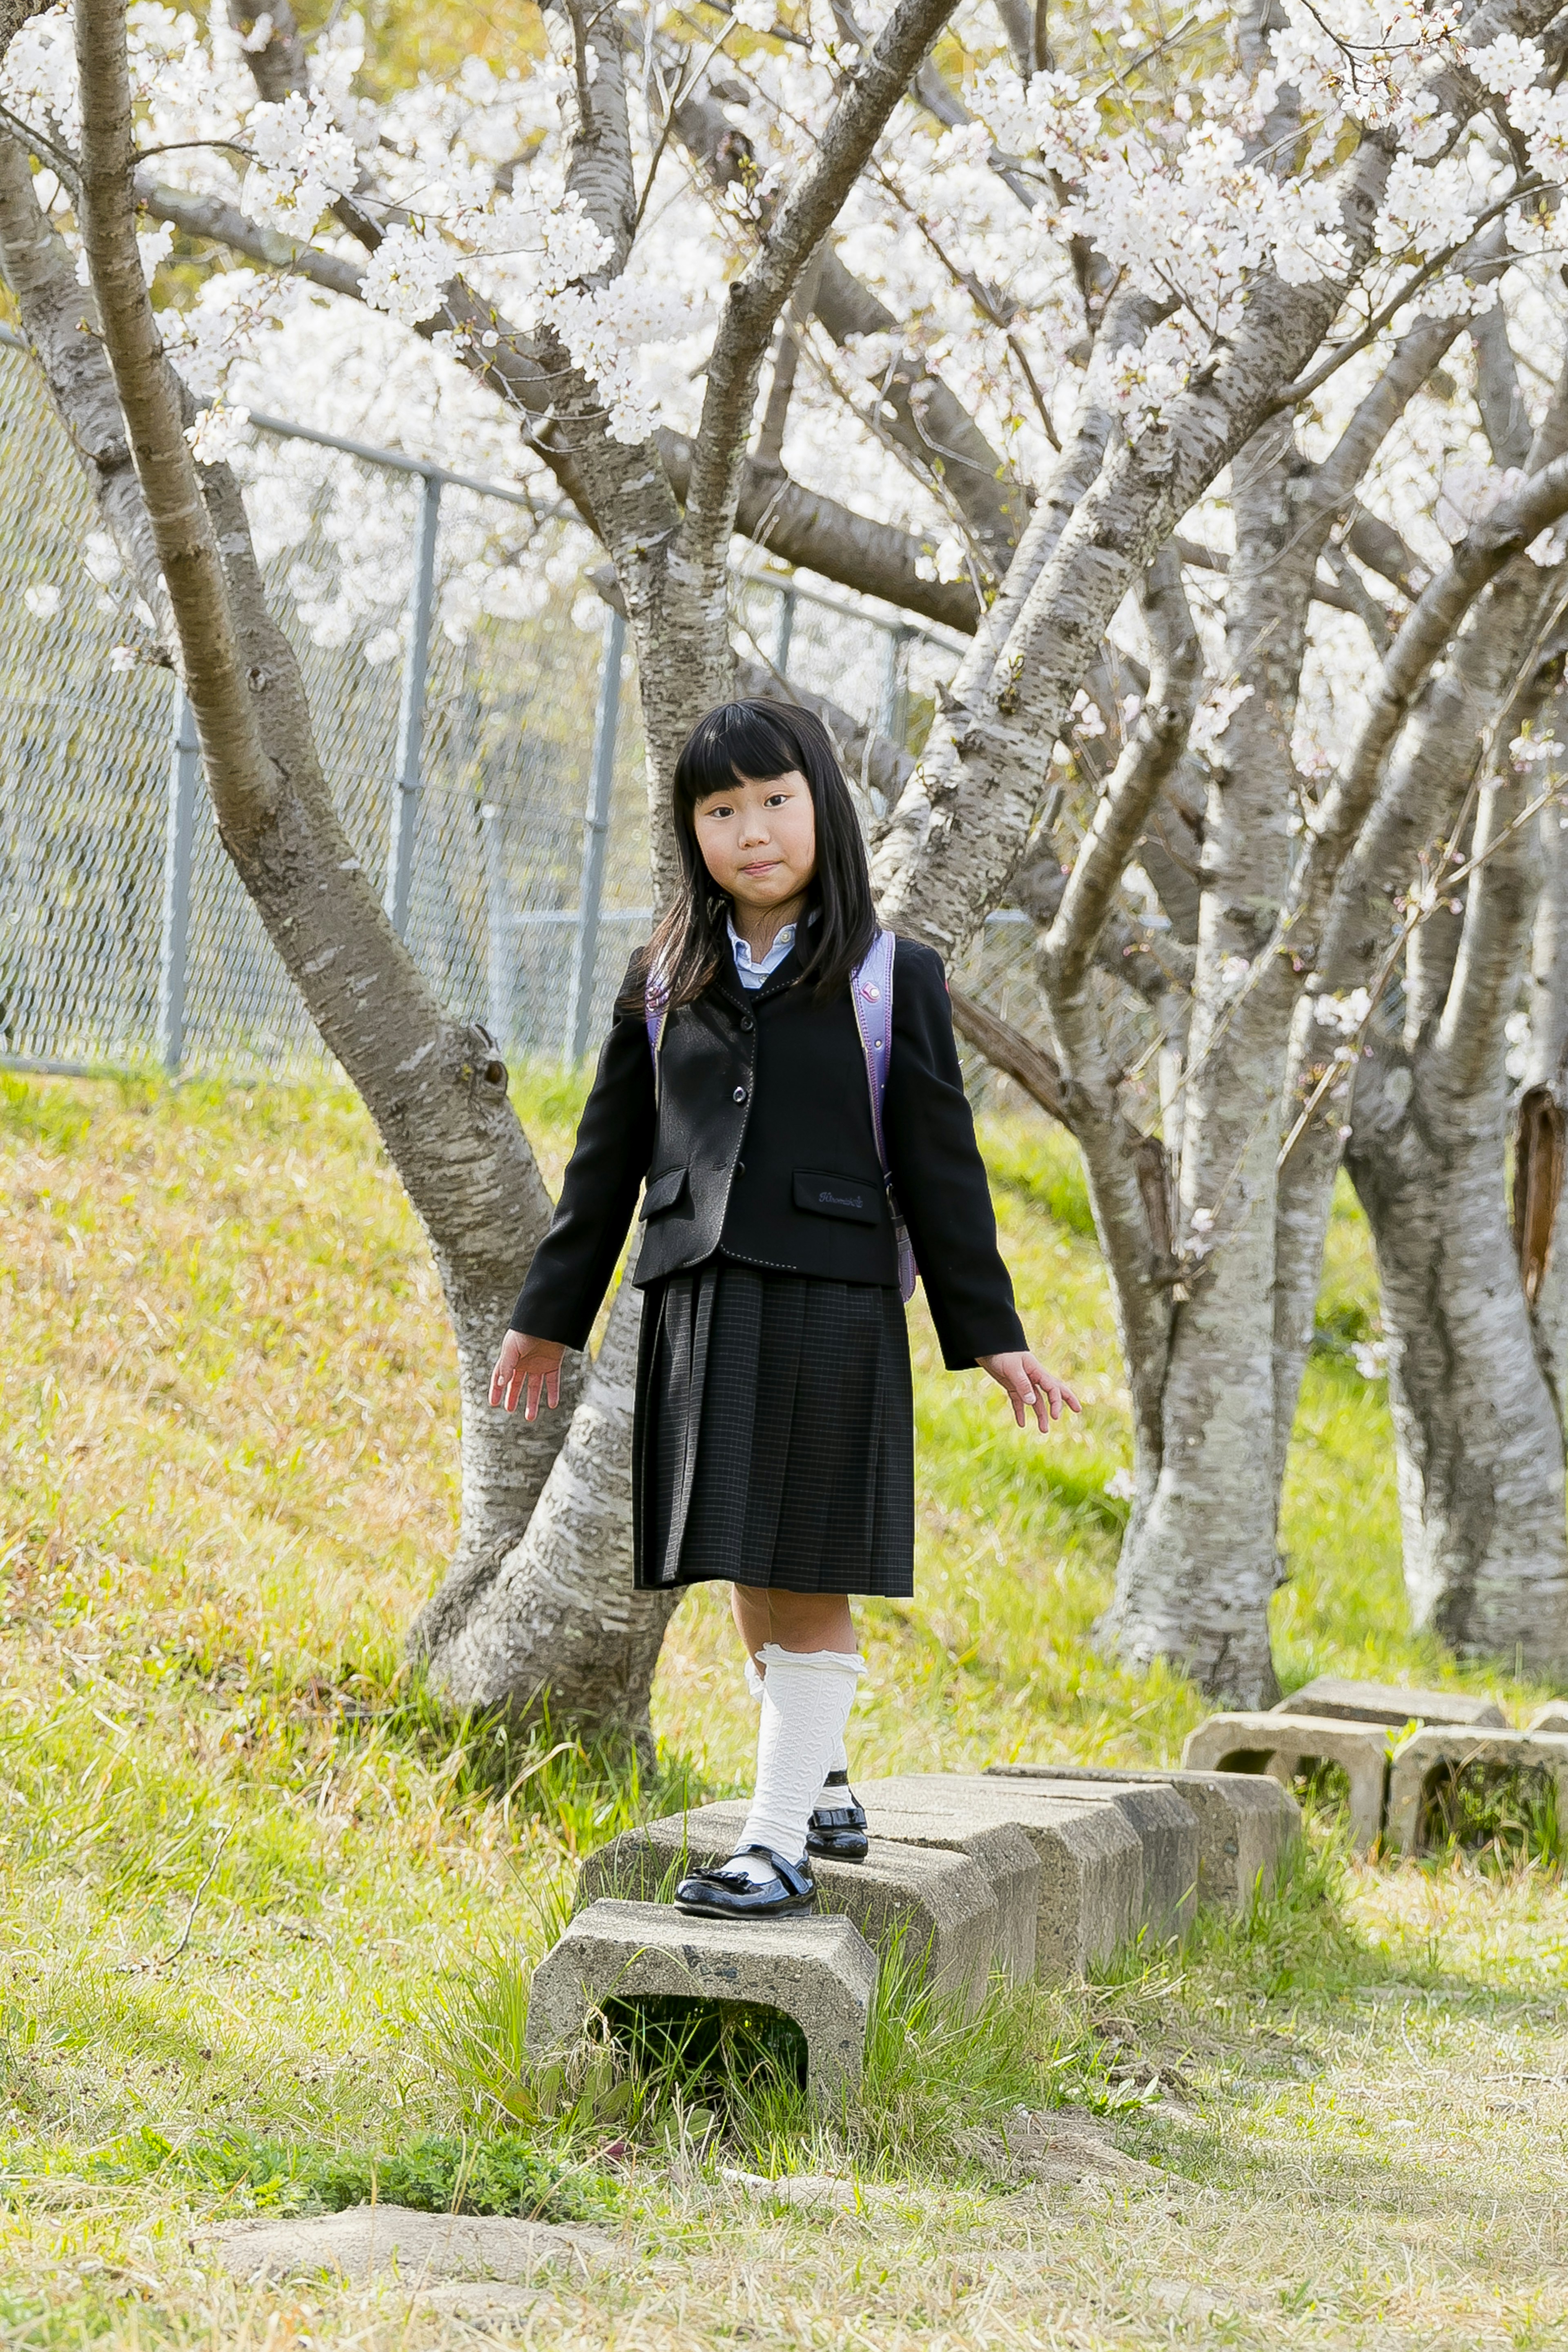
(775, 1431)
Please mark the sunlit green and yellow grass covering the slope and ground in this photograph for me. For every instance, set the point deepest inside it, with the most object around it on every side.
(269, 1916)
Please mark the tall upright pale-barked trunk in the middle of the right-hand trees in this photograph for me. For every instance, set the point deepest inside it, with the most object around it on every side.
(1200, 1565)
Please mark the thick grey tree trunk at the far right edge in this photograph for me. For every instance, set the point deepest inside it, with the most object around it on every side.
(1475, 1419)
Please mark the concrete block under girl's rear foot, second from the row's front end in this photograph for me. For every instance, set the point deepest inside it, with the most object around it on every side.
(942, 1902)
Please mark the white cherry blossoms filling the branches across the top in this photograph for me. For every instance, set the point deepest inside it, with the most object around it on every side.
(1191, 178)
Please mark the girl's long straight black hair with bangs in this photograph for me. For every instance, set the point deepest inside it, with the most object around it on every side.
(758, 742)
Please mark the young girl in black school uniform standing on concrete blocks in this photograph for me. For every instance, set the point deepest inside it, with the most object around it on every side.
(775, 1431)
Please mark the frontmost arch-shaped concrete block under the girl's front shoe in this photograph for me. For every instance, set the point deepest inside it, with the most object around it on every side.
(819, 1972)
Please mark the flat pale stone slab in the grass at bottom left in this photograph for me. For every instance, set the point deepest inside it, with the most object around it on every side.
(396, 2243)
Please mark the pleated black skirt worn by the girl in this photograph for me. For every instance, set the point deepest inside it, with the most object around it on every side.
(775, 1436)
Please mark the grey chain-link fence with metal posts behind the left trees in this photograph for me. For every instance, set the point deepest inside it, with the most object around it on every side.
(478, 726)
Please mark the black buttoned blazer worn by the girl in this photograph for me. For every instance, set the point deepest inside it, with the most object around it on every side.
(763, 1149)
